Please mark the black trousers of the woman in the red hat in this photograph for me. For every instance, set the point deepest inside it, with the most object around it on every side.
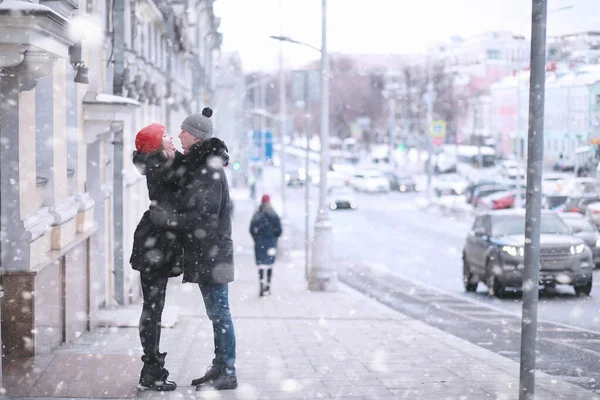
(154, 289)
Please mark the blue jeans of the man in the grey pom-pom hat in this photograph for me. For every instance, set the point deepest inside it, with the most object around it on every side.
(216, 301)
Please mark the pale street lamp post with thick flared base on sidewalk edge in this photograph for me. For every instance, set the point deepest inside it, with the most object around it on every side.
(323, 276)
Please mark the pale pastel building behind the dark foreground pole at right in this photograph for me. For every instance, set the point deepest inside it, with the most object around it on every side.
(571, 113)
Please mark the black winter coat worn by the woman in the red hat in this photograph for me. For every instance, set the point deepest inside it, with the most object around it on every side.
(157, 250)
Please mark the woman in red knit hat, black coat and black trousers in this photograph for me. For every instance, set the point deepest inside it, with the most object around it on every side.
(156, 252)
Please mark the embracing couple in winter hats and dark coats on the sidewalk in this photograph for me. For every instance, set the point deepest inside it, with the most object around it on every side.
(187, 230)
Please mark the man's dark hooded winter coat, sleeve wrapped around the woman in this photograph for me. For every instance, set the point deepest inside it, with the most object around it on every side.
(201, 212)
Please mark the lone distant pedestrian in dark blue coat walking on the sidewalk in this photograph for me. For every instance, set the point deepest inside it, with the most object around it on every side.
(265, 229)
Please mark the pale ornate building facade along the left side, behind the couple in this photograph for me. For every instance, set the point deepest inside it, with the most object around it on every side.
(78, 79)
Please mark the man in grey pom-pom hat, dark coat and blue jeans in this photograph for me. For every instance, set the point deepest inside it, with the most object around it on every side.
(201, 212)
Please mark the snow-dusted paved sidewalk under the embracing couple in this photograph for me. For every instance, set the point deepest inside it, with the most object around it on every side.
(292, 345)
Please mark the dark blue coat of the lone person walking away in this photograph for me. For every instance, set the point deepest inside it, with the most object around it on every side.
(265, 229)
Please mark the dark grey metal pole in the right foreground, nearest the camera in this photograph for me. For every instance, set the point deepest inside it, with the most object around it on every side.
(535, 154)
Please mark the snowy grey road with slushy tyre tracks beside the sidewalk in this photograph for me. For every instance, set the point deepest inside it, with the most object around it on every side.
(420, 254)
